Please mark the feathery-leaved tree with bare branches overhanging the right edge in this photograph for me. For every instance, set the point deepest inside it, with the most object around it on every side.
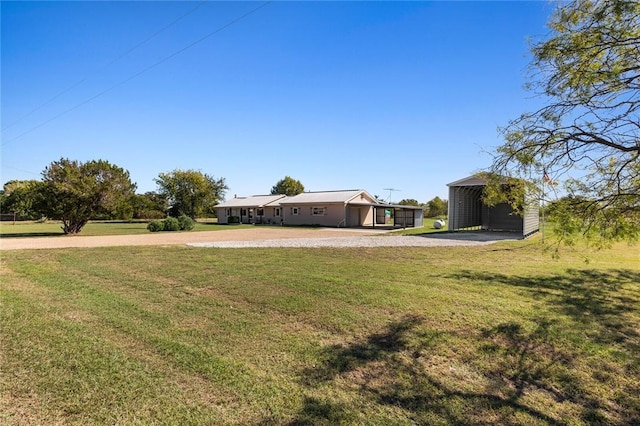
(588, 132)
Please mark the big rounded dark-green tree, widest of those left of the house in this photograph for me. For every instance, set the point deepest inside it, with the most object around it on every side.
(76, 192)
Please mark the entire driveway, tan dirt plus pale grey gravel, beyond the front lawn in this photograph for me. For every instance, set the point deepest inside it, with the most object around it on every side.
(260, 237)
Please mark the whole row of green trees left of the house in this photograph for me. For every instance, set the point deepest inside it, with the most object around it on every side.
(75, 192)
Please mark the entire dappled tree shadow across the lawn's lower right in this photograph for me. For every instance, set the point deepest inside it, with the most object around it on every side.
(514, 372)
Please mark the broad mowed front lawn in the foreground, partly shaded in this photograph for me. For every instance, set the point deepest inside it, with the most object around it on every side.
(499, 334)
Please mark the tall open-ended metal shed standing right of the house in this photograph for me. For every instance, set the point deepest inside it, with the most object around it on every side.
(467, 211)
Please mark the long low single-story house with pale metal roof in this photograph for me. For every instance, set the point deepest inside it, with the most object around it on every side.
(344, 208)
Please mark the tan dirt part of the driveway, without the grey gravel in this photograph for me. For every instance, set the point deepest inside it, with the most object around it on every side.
(170, 238)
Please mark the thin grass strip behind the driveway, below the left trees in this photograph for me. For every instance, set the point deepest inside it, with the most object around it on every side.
(54, 228)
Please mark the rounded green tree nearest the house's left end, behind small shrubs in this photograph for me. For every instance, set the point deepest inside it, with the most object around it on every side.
(191, 192)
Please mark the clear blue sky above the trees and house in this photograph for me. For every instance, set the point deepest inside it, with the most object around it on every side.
(339, 95)
